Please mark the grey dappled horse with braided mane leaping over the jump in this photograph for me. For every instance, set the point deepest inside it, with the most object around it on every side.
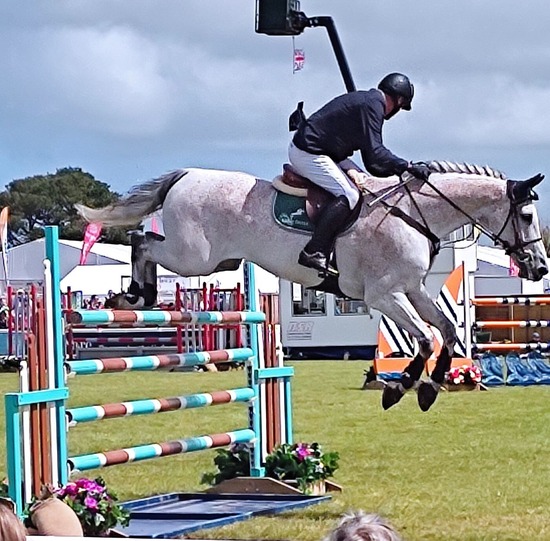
(213, 219)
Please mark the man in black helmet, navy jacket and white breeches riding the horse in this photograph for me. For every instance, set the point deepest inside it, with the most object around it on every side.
(327, 138)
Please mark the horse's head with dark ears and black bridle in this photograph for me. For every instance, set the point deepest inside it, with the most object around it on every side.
(520, 235)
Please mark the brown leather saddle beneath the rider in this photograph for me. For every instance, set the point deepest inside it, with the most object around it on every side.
(292, 183)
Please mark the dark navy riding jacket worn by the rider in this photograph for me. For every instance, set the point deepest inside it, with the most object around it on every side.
(348, 123)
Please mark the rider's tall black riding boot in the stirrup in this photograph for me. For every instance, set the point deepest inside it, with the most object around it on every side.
(317, 251)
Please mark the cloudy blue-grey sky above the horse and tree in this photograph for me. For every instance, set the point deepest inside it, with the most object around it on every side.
(130, 89)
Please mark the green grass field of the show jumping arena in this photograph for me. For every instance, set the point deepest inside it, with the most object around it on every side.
(476, 467)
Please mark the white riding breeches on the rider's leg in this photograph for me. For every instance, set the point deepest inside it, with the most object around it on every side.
(324, 172)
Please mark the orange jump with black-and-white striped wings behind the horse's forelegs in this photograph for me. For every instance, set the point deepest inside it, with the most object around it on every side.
(508, 336)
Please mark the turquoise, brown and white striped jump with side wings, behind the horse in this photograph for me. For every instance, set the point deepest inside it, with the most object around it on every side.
(38, 420)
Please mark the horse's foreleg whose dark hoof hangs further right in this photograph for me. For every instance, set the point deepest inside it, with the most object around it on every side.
(429, 311)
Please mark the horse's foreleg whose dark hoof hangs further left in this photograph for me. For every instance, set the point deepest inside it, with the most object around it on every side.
(399, 308)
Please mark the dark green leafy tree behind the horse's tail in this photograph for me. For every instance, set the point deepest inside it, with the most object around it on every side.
(49, 199)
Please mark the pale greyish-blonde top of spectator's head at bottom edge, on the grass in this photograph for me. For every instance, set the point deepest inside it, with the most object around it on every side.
(359, 526)
